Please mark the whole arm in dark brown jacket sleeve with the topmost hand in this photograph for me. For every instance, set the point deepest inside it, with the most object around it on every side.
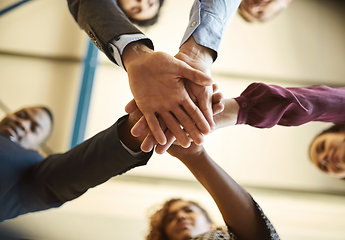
(153, 77)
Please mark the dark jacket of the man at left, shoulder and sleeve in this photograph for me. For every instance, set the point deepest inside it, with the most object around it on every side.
(30, 183)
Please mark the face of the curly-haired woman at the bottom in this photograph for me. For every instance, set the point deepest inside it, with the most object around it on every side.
(185, 221)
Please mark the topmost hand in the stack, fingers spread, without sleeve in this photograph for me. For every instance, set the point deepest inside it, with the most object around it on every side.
(156, 82)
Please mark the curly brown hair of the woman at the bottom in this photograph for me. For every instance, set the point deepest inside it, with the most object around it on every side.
(158, 219)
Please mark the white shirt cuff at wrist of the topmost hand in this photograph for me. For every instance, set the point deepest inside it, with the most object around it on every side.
(117, 45)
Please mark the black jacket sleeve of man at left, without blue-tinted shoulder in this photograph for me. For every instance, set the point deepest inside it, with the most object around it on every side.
(63, 177)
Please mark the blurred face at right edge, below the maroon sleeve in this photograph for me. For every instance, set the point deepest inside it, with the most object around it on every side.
(327, 153)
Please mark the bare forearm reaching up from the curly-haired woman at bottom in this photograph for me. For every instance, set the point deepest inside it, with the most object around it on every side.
(235, 204)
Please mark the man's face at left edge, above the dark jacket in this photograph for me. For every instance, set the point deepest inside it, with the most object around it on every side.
(28, 127)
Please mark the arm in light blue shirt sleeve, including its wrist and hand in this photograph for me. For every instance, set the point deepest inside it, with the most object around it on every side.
(200, 43)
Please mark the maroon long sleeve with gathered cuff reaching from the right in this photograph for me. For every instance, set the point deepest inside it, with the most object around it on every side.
(264, 106)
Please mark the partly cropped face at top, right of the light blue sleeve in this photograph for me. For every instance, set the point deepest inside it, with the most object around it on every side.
(261, 10)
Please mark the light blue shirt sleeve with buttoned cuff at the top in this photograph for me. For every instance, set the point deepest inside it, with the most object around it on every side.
(207, 21)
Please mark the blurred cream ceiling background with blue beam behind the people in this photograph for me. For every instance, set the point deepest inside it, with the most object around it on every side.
(42, 54)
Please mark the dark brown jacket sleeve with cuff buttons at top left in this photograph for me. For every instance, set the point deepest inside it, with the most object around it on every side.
(102, 20)
